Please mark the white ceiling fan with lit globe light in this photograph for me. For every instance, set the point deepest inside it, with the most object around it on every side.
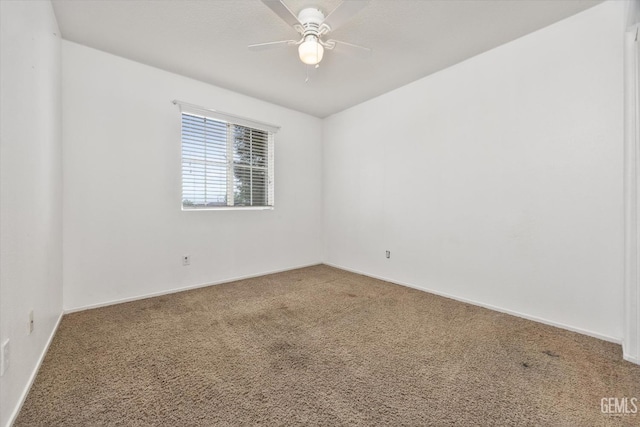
(313, 26)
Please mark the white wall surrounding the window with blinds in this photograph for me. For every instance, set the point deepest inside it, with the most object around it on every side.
(124, 231)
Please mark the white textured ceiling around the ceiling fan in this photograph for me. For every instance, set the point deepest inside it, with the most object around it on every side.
(207, 40)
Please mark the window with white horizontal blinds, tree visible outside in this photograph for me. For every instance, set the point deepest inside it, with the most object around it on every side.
(225, 164)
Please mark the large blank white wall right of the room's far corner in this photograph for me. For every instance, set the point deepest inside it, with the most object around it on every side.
(498, 180)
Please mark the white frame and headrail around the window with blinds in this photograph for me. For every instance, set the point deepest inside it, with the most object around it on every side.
(231, 121)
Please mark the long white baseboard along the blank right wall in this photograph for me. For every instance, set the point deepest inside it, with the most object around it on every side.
(489, 306)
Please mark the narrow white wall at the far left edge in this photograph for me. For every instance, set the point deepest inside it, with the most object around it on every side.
(30, 191)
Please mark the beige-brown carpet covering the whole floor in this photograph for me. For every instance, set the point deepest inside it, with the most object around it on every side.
(321, 346)
